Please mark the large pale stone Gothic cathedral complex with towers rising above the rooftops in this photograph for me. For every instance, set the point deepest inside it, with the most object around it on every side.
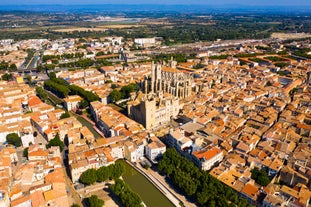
(160, 101)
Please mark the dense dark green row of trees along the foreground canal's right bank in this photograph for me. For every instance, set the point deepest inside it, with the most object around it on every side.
(197, 184)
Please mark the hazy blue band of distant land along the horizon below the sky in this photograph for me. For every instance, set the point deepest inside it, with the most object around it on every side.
(148, 6)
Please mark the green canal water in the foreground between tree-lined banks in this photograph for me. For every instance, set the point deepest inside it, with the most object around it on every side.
(151, 196)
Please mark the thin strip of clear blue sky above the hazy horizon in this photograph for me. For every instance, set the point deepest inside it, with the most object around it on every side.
(207, 2)
